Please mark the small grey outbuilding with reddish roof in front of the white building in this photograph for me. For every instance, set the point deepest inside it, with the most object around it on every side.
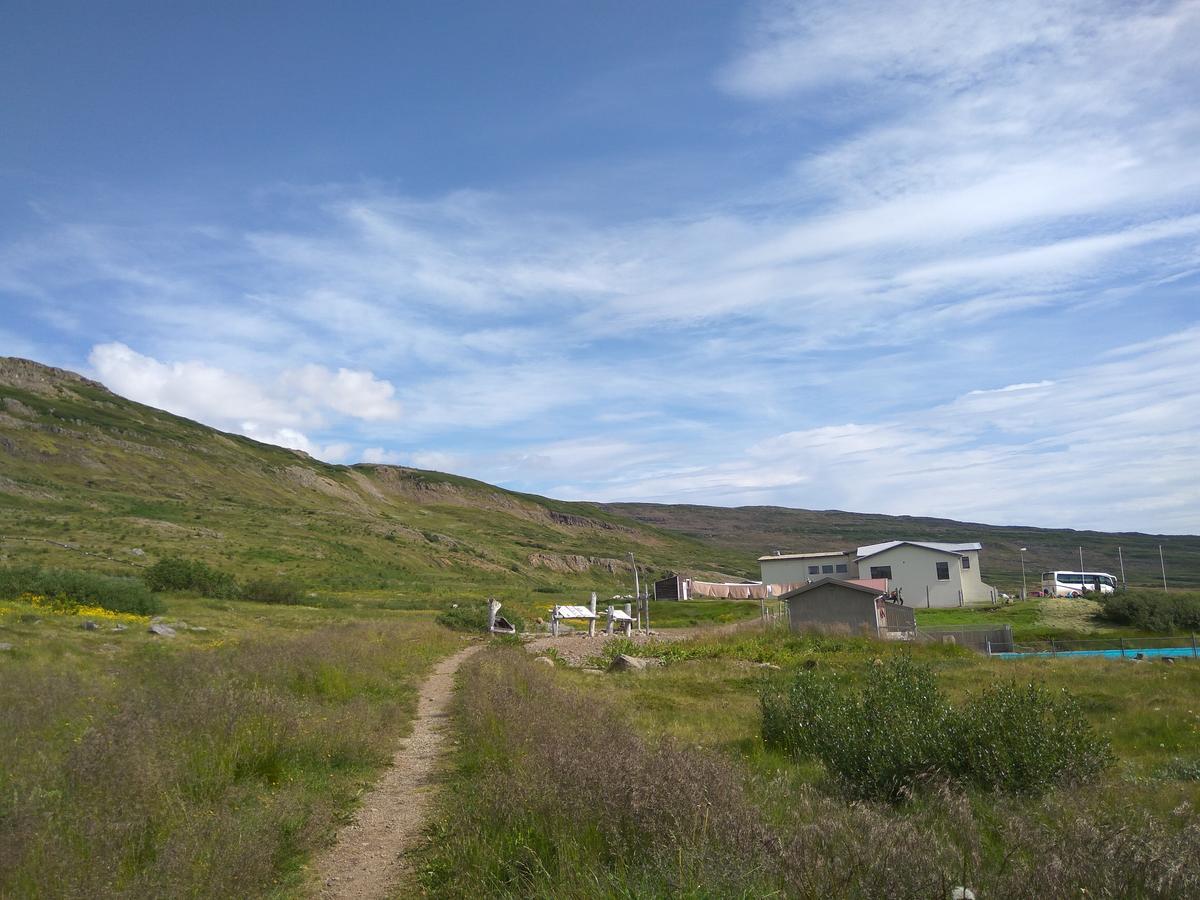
(839, 605)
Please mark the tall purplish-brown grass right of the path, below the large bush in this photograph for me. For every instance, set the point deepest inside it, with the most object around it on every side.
(555, 795)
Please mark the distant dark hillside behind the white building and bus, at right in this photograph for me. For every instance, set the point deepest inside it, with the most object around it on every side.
(764, 530)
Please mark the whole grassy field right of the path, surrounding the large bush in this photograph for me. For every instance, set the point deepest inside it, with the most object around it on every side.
(659, 784)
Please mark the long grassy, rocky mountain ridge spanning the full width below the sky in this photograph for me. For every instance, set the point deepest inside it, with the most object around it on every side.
(85, 471)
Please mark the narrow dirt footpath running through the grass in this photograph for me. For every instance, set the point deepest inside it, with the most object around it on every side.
(370, 857)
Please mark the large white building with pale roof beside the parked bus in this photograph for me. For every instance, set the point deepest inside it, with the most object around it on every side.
(927, 574)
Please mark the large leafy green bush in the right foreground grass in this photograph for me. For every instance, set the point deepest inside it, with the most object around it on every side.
(899, 730)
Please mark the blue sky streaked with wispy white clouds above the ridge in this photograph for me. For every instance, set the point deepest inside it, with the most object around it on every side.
(920, 257)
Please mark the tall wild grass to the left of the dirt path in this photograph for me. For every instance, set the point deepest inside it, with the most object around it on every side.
(196, 773)
